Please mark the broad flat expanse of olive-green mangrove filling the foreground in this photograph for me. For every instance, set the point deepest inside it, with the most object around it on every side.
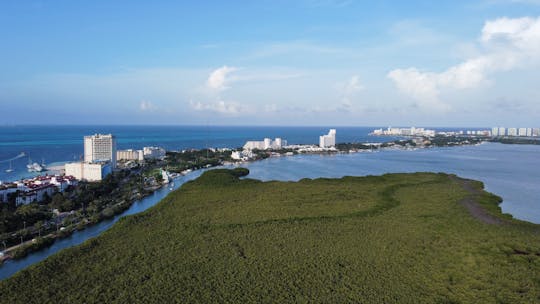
(396, 238)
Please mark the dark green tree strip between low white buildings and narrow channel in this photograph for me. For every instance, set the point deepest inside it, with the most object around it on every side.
(90, 203)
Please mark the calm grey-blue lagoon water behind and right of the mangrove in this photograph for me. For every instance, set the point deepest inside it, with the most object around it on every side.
(510, 171)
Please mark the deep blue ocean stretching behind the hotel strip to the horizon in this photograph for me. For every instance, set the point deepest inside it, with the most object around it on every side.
(56, 144)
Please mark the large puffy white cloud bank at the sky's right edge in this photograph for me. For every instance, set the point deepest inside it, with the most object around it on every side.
(506, 44)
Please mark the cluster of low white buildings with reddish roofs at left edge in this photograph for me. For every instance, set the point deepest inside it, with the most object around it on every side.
(35, 189)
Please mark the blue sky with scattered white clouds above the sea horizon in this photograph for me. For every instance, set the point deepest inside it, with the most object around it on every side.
(305, 62)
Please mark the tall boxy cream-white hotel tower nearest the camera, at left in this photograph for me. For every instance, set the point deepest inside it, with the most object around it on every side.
(100, 147)
